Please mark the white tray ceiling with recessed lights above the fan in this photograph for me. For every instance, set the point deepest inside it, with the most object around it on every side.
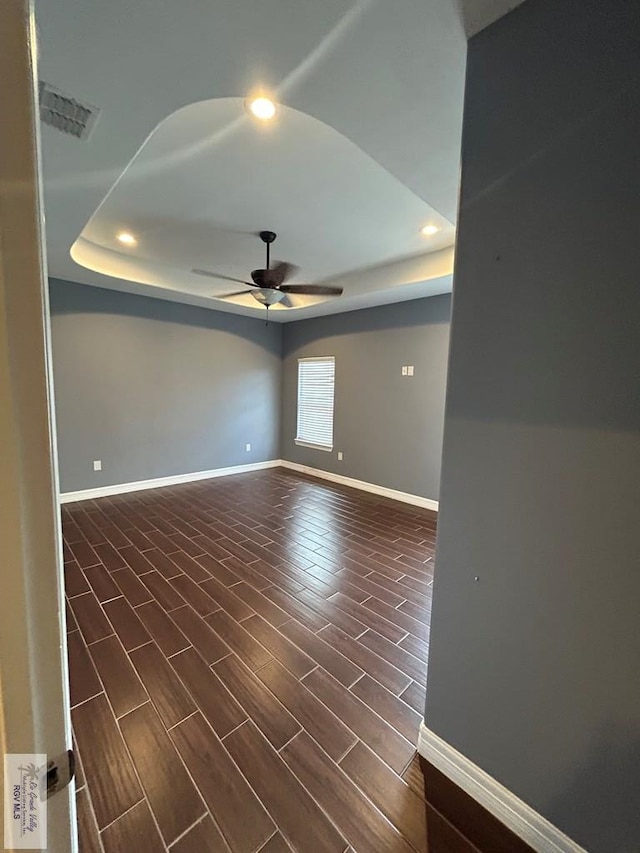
(364, 150)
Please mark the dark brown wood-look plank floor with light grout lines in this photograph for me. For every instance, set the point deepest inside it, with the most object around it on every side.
(248, 661)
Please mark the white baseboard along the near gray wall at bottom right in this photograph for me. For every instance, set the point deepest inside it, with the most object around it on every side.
(541, 835)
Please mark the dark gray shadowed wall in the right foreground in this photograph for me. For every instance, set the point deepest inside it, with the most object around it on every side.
(534, 671)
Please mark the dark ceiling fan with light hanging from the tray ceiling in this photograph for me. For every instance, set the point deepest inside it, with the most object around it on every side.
(268, 286)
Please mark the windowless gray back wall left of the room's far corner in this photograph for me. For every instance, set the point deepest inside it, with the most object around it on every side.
(155, 388)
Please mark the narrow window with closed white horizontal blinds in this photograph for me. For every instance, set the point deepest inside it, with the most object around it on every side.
(316, 382)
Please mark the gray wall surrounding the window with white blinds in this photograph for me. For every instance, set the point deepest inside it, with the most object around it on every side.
(389, 427)
